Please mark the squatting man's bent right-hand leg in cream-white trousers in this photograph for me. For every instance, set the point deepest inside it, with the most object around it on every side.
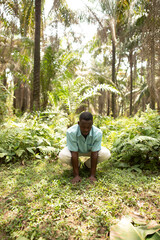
(103, 155)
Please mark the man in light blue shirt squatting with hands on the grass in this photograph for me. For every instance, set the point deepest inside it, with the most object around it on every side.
(84, 139)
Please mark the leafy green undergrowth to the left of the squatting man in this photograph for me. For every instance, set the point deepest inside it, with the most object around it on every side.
(27, 138)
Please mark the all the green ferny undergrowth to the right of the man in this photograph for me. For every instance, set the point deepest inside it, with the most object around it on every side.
(134, 142)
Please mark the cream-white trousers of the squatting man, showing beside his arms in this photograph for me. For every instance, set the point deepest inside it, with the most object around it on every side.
(65, 156)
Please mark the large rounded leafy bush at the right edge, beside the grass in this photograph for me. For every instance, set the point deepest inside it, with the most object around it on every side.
(138, 143)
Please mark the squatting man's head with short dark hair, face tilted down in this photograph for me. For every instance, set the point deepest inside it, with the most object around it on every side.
(85, 123)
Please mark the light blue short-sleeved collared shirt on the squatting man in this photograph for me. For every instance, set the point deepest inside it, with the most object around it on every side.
(76, 142)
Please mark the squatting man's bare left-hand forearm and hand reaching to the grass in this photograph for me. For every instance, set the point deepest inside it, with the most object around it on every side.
(74, 160)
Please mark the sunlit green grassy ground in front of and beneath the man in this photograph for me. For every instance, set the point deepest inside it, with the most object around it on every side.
(37, 200)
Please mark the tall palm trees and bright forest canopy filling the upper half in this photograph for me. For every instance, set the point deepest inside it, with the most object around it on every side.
(115, 73)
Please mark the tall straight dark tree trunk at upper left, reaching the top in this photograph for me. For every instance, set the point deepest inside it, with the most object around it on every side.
(35, 105)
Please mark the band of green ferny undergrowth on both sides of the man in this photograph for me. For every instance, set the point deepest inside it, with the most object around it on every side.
(134, 142)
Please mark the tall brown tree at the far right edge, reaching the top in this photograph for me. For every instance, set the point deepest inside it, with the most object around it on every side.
(150, 50)
